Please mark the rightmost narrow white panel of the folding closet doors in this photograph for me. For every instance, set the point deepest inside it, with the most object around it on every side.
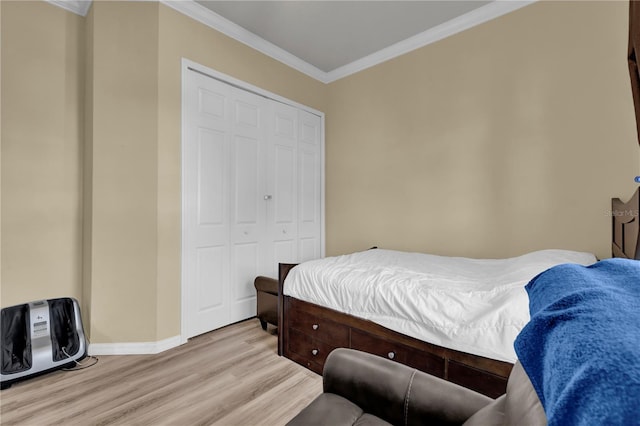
(309, 175)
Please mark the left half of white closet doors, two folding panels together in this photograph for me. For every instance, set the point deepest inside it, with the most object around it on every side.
(225, 238)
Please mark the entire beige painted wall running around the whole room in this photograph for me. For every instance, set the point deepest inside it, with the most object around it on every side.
(509, 137)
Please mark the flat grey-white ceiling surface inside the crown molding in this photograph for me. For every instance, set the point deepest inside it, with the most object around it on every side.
(332, 34)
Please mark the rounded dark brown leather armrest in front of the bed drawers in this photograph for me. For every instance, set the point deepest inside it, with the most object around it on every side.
(391, 390)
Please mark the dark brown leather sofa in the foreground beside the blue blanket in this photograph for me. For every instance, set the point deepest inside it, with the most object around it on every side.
(364, 389)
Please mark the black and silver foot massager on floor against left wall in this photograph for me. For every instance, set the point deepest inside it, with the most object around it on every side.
(39, 337)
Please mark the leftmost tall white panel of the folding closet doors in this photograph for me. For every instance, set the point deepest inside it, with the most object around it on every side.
(206, 221)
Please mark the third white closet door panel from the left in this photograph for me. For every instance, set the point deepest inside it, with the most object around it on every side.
(282, 214)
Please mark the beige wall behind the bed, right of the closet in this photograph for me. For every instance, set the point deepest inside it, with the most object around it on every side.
(509, 137)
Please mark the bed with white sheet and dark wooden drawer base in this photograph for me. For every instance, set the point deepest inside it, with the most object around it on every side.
(477, 353)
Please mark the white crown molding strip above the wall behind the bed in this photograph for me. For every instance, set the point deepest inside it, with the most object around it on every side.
(476, 17)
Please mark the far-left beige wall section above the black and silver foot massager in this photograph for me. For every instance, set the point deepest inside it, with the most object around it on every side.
(42, 91)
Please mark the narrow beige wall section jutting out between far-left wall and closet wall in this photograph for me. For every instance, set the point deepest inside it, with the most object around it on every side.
(124, 145)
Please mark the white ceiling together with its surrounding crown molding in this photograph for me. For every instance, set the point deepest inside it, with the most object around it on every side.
(328, 40)
